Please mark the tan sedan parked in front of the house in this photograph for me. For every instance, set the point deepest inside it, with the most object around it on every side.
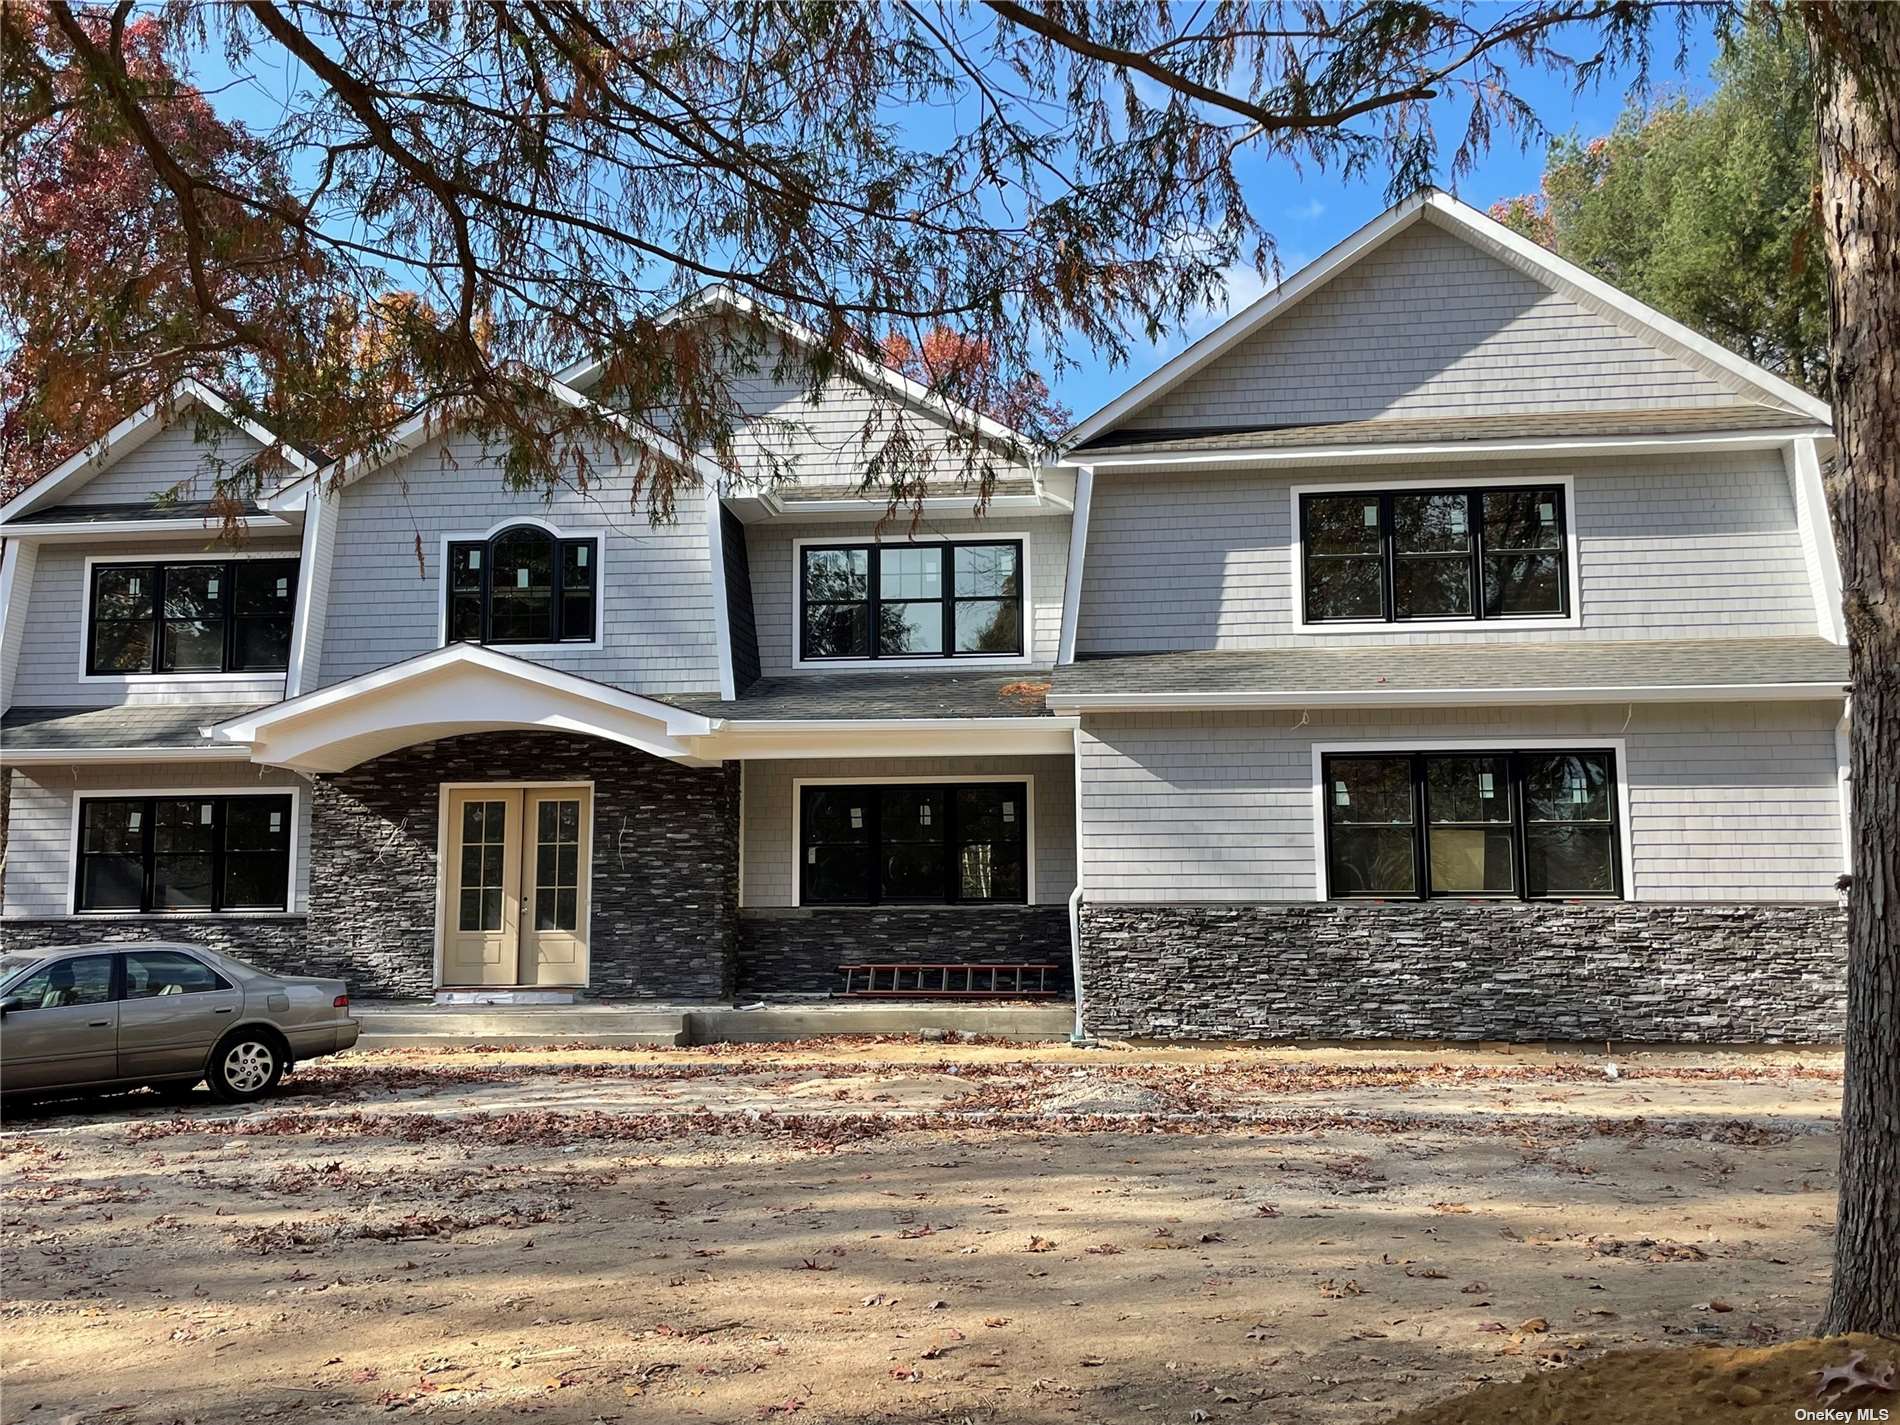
(164, 1016)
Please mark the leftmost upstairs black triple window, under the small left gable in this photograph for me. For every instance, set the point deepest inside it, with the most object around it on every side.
(191, 617)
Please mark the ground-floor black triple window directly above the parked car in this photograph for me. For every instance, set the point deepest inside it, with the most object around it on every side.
(183, 854)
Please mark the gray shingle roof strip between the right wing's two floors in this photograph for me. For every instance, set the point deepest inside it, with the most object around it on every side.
(1441, 668)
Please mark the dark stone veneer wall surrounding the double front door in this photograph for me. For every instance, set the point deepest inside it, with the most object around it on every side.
(666, 864)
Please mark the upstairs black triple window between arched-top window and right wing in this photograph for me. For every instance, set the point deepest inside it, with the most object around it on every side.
(911, 601)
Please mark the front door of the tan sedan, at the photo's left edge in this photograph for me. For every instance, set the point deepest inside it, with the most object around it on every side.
(64, 1029)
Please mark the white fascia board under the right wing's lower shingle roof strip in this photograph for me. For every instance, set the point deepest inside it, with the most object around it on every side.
(1709, 693)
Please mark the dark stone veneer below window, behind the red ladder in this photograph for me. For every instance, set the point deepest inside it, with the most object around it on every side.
(799, 951)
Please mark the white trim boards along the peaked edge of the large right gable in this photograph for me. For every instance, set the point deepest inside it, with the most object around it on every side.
(1489, 237)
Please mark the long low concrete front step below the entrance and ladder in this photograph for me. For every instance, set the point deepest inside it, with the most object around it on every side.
(398, 1025)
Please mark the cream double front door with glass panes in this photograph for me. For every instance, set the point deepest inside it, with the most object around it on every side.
(516, 886)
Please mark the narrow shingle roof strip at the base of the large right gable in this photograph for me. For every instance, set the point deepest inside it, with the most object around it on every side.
(1130, 442)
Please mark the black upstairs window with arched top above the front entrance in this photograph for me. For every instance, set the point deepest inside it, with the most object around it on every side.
(523, 586)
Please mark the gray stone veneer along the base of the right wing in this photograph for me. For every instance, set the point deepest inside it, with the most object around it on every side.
(1445, 970)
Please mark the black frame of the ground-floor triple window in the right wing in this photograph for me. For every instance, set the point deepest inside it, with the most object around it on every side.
(1420, 827)
